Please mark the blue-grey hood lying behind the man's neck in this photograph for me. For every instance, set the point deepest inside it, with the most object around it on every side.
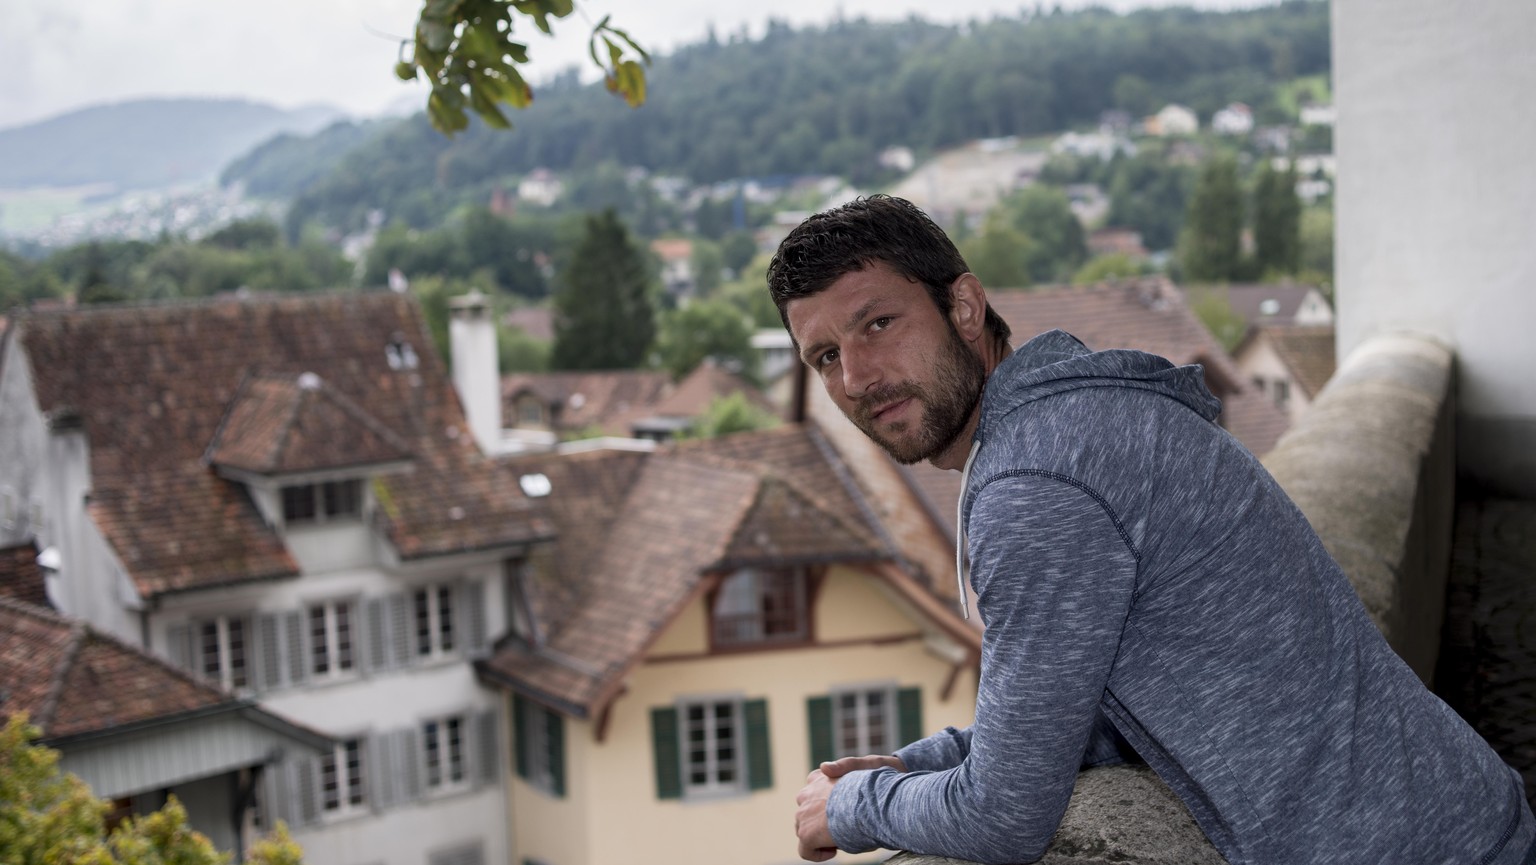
(1056, 362)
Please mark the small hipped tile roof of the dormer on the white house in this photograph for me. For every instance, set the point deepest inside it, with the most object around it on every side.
(288, 425)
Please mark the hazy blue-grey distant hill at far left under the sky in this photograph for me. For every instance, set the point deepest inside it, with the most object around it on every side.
(145, 144)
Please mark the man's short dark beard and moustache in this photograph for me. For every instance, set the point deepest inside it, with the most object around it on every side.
(948, 399)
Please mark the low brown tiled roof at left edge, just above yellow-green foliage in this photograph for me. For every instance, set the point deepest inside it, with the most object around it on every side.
(71, 678)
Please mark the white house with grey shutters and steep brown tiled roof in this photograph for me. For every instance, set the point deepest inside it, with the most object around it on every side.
(283, 499)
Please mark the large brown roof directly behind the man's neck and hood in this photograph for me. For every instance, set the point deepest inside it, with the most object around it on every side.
(1148, 314)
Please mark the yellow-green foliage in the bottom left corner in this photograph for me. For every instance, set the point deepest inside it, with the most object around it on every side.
(50, 817)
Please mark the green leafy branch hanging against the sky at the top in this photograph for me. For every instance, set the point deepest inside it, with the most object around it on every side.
(468, 53)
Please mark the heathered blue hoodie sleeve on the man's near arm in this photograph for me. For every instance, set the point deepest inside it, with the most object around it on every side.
(1054, 577)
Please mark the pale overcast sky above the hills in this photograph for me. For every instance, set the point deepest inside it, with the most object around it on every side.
(58, 56)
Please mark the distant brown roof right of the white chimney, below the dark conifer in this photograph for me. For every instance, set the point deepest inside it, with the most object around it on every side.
(583, 400)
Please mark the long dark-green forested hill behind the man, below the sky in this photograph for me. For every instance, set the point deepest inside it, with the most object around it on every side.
(826, 101)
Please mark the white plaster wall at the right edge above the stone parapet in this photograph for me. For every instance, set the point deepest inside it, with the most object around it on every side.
(1437, 202)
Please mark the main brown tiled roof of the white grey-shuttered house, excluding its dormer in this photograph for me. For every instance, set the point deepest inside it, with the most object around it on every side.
(153, 383)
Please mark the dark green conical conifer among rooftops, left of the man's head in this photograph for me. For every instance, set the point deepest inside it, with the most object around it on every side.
(603, 310)
